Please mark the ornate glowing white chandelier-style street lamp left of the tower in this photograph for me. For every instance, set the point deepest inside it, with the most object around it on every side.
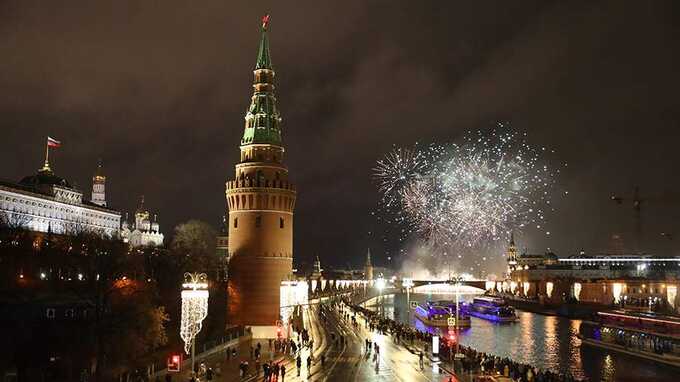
(194, 310)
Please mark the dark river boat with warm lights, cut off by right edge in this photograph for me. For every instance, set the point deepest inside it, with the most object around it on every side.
(656, 338)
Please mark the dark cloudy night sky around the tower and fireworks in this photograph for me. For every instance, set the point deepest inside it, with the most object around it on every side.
(159, 91)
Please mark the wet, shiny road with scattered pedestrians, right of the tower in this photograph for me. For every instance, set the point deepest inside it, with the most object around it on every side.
(346, 362)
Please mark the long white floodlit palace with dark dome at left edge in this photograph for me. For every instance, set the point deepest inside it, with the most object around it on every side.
(47, 203)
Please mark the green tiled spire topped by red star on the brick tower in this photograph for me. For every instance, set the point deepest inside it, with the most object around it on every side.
(263, 119)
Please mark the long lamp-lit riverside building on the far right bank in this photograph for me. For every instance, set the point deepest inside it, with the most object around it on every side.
(631, 281)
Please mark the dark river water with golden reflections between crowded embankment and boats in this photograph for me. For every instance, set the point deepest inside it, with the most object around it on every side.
(548, 342)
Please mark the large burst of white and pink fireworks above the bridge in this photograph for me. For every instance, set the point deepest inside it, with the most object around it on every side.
(467, 194)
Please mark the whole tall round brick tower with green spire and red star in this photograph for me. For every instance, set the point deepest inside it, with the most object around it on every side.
(261, 202)
